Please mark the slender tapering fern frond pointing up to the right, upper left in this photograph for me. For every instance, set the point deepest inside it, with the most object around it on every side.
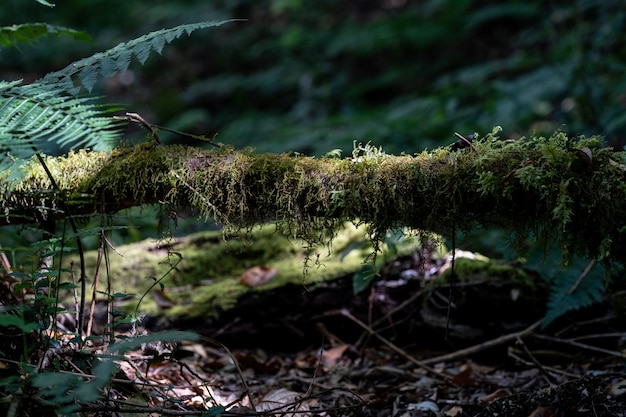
(117, 59)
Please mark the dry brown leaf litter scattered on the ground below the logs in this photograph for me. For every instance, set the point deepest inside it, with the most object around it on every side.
(525, 373)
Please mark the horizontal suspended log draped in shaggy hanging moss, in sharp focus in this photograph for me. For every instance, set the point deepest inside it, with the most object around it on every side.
(570, 190)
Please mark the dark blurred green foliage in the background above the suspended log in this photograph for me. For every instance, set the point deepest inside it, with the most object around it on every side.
(311, 76)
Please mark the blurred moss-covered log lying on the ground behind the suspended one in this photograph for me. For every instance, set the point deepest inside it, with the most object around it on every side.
(204, 274)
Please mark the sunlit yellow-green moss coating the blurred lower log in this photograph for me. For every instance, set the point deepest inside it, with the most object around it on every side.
(207, 279)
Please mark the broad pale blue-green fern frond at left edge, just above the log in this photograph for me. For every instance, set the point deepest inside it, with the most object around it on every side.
(37, 112)
